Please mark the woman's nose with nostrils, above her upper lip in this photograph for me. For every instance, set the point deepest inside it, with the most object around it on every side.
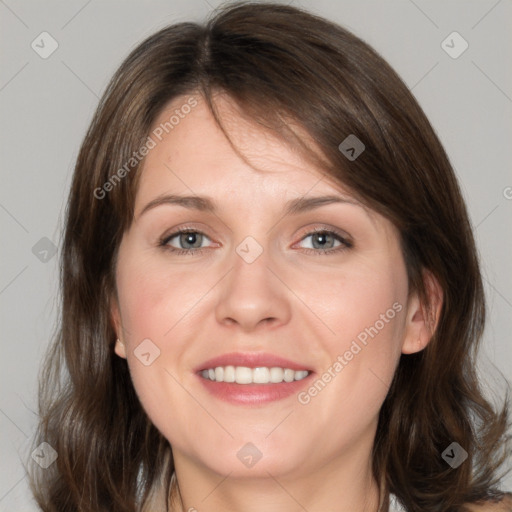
(252, 294)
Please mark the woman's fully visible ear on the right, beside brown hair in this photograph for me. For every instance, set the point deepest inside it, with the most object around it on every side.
(422, 321)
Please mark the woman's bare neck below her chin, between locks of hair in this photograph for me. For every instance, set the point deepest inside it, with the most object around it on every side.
(354, 489)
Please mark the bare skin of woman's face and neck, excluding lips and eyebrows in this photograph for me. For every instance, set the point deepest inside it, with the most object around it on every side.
(302, 306)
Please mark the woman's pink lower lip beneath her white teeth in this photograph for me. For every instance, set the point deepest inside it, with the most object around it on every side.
(253, 394)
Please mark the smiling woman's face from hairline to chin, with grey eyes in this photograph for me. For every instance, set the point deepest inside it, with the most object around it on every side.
(274, 279)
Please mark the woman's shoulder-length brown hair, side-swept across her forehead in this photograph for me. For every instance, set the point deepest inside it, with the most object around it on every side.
(278, 63)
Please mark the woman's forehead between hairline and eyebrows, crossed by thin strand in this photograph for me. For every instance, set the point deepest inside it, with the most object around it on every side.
(192, 154)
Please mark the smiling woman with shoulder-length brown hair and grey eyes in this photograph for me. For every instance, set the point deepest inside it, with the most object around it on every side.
(271, 294)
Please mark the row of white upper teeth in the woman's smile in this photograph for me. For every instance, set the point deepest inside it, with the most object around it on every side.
(260, 375)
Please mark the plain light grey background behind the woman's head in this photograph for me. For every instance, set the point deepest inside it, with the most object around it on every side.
(47, 104)
